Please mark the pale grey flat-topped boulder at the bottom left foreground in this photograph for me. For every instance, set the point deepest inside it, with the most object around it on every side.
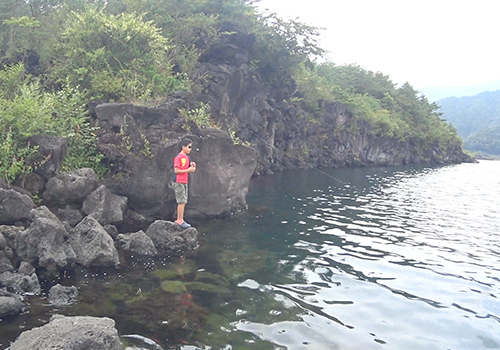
(71, 333)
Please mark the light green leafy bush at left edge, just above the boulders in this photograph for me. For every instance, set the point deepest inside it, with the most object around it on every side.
(27, 111)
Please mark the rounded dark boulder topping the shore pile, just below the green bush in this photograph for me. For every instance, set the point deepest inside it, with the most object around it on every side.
(71, 187)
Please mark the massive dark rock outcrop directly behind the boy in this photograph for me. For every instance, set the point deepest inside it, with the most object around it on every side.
(142, 143)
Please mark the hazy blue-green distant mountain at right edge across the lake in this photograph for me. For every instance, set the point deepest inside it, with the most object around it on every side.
(477, 120)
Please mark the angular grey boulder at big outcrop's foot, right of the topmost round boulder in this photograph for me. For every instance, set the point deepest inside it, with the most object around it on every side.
(104, 206)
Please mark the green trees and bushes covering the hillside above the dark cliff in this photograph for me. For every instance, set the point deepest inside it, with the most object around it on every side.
(57, 55)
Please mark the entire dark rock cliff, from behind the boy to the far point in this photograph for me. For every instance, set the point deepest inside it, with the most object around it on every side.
(279, 134)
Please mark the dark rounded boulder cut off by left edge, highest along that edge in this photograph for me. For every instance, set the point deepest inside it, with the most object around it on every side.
(14, 206)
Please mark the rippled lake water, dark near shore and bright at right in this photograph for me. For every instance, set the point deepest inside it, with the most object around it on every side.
(367, 258)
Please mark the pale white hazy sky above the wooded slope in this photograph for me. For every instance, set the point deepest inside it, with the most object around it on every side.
(426, 42)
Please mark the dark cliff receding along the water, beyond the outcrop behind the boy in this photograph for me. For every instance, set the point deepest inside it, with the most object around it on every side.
(283, 133)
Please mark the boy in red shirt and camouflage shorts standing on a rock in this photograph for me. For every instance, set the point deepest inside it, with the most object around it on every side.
(182, 167)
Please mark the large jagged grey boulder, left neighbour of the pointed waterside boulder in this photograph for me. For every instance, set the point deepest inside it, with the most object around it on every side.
(45, 242)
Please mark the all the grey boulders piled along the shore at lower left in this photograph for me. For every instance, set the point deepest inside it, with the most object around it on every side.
(41, 244)
